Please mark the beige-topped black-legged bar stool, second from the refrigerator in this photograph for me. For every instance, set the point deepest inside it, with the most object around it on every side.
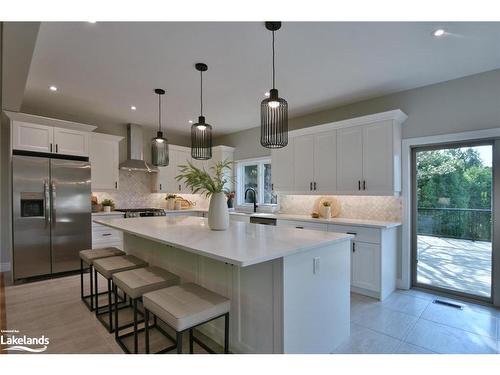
(107, 267)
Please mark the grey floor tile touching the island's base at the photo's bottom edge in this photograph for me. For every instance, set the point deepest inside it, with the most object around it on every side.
(366, 341)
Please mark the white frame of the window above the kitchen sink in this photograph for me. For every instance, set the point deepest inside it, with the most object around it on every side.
(240, 191)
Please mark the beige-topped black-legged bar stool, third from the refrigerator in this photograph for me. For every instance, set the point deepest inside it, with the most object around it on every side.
(135, 283)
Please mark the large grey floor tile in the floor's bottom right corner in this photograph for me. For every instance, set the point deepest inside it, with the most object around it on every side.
(444, 339)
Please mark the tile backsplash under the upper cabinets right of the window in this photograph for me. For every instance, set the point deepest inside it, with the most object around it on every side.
(352, 207)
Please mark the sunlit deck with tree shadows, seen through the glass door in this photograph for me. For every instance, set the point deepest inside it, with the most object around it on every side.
(460, 265)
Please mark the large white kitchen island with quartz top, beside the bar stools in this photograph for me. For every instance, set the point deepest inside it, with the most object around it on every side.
(289, 288)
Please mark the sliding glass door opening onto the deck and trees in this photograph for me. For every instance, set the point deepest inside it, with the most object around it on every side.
(452, 218)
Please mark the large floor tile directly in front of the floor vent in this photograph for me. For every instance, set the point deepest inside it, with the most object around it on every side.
(465, 319)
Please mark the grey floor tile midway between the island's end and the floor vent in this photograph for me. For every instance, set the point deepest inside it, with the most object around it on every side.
(386, 321)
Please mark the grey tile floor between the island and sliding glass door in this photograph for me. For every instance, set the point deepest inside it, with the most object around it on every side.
(407, 322)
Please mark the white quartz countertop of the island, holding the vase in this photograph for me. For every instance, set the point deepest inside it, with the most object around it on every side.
(242, 244)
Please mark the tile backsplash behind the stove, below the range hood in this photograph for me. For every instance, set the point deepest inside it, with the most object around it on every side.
(135, 192)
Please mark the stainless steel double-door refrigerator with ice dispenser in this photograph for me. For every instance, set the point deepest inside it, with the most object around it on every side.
(51, 214)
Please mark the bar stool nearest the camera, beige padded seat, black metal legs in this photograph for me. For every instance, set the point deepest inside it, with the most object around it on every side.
(184, 307)
